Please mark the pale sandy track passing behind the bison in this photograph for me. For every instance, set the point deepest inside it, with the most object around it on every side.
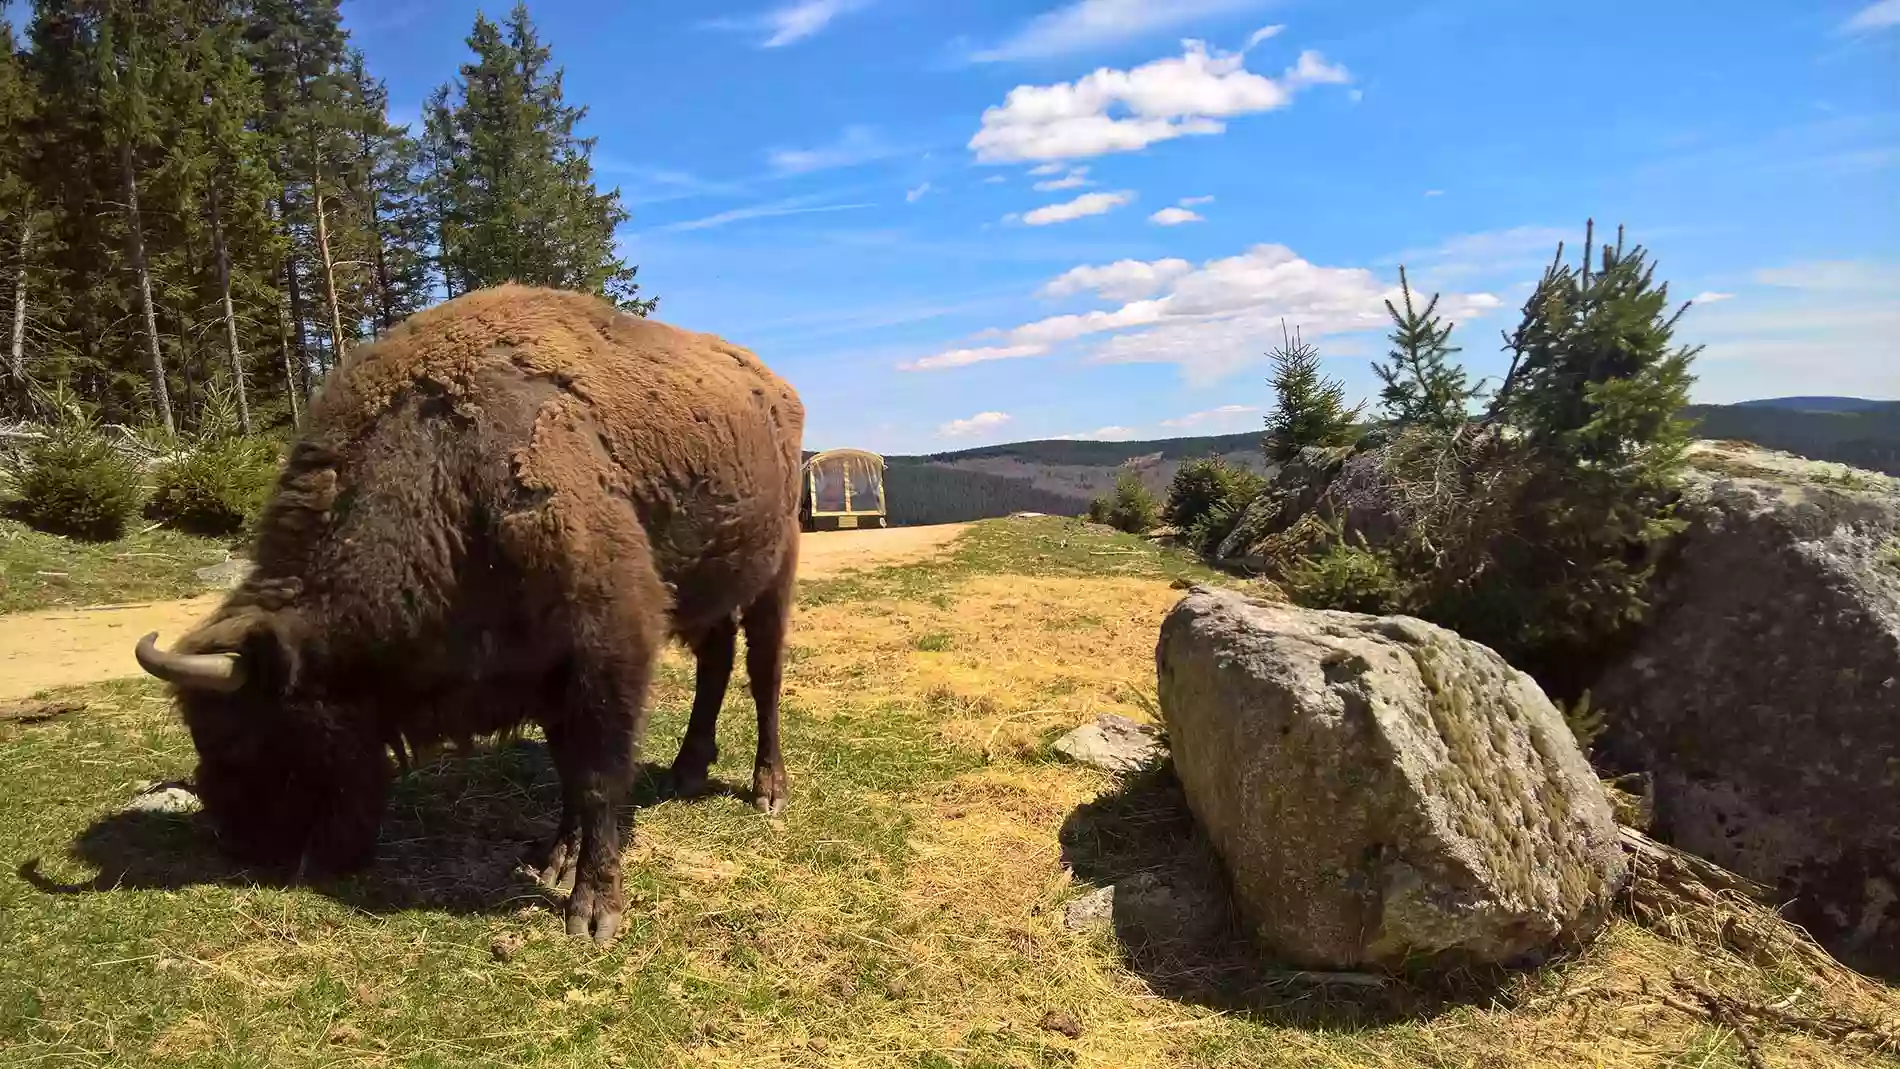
(85, 647)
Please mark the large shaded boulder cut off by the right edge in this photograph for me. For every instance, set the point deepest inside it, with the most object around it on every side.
(1764, 698)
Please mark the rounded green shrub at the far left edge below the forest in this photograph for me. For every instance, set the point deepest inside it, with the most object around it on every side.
(77, 485)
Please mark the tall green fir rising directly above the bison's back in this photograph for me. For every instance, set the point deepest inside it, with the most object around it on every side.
(512, 183)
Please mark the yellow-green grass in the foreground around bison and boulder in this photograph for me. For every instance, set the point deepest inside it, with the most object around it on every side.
(907, 910)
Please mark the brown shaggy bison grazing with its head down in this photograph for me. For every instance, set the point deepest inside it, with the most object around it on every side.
(499, 514)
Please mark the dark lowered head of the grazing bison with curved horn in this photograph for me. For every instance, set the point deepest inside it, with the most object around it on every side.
(284, 776)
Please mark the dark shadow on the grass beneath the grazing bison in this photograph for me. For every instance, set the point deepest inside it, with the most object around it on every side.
(453, 838)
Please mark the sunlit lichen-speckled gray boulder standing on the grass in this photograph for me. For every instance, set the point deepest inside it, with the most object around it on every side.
(1380, 789)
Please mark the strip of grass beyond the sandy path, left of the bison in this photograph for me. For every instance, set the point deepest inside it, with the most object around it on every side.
(48, 572)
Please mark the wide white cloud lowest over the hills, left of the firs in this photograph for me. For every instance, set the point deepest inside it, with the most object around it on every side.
(1215, 318)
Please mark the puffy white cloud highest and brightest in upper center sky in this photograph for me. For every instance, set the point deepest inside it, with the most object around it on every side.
(1187, 96)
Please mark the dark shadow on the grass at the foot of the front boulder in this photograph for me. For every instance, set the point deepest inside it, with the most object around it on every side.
(1175, 924)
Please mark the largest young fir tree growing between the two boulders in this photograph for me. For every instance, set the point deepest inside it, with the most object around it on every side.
(1557, 559)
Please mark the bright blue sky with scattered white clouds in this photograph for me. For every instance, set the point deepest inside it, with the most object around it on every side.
(979, 221)
